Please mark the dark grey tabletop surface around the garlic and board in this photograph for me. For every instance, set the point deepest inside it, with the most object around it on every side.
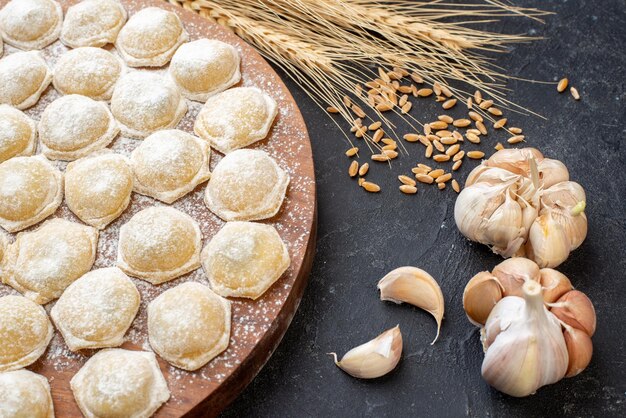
(363, 236)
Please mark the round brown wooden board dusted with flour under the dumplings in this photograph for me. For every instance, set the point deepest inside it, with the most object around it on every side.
(257, 326)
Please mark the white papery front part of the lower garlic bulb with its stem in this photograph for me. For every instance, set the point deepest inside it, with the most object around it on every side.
(524, 345)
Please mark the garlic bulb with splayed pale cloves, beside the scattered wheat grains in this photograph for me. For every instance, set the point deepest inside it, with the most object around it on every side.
(520, 203)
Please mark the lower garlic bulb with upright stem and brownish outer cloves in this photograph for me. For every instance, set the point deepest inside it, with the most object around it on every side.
(535, 328)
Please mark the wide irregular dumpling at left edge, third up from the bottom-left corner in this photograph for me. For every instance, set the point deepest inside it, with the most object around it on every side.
(42, 263)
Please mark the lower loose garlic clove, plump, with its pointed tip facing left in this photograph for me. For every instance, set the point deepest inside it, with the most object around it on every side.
(375, 358)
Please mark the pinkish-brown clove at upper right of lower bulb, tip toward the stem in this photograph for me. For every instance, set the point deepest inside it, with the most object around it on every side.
(576, 310)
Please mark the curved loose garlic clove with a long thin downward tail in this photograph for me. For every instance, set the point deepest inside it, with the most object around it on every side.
(415, 286)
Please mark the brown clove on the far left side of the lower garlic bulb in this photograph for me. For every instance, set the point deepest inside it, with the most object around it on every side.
(481, 294)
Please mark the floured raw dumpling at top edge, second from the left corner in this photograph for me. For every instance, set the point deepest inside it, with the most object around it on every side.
(93, 23)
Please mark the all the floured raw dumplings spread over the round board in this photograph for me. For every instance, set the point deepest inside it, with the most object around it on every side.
(106, 89)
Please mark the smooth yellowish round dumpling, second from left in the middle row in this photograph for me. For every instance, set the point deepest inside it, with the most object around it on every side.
(98, 187)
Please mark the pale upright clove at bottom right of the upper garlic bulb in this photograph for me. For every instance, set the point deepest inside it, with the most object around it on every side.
(548, 243)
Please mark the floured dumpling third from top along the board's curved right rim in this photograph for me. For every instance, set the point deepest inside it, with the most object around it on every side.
(236, 118)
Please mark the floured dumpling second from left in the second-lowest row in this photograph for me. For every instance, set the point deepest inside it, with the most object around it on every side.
(96, 310)
